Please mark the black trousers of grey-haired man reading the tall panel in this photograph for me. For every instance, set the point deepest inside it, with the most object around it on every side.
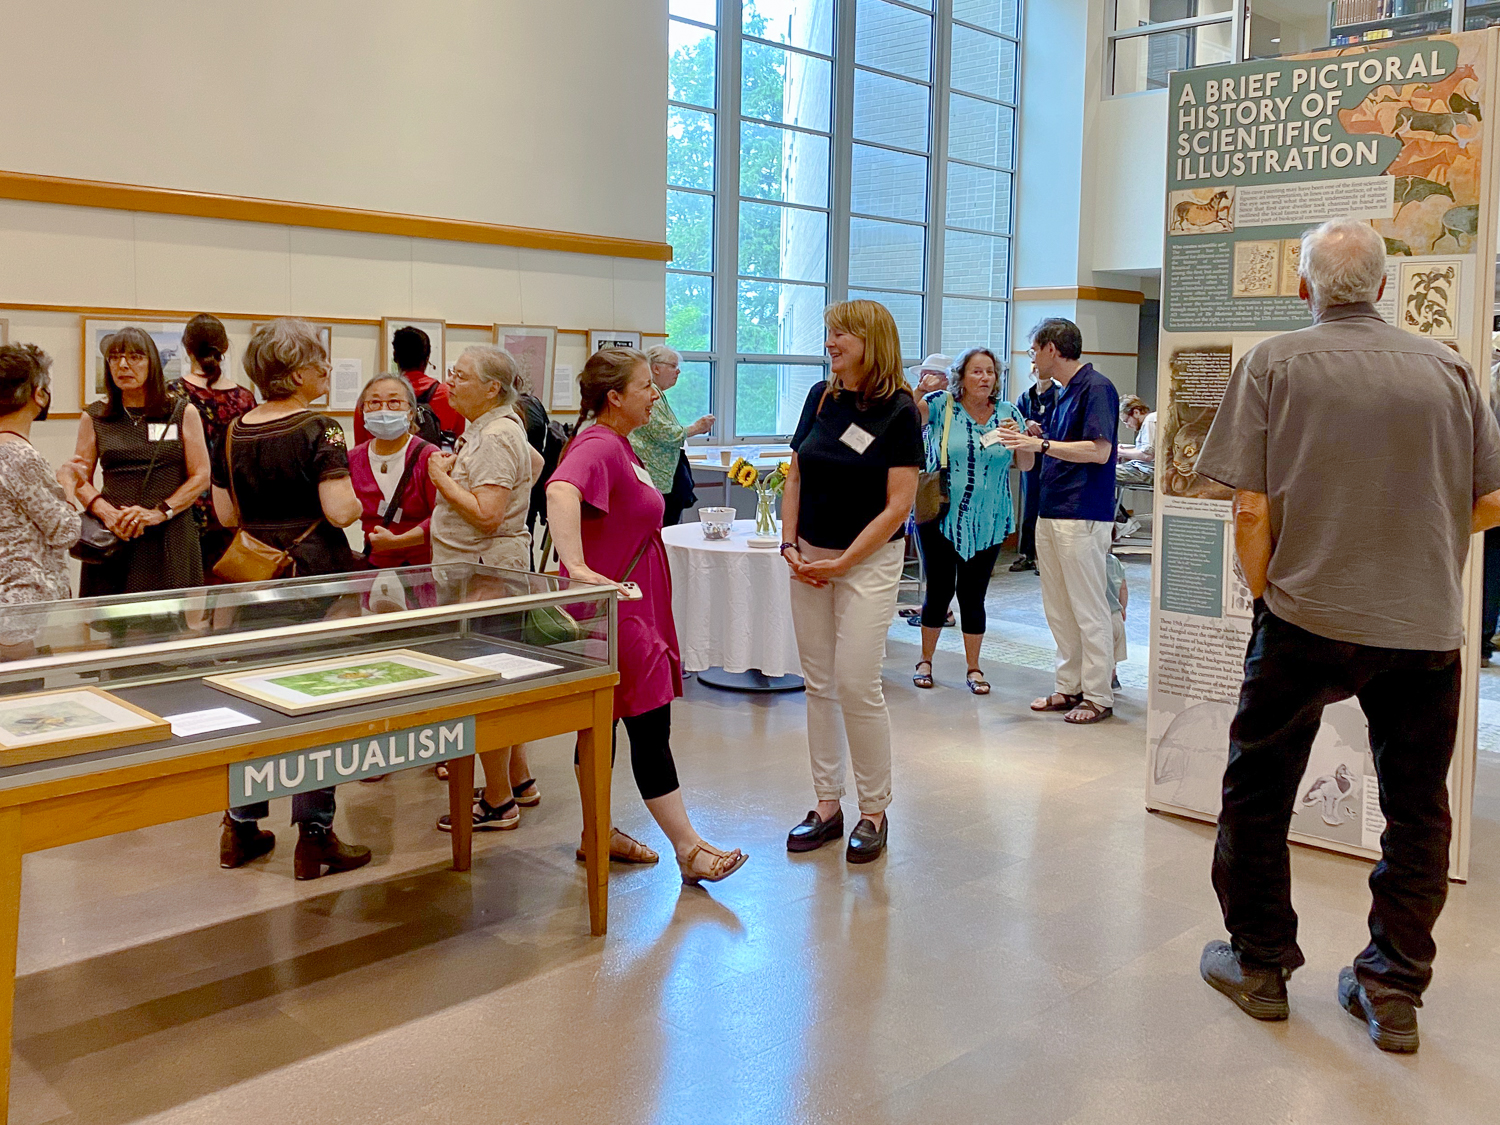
(1411, 700)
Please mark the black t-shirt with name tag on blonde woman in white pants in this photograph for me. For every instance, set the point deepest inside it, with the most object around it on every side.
(844, 490)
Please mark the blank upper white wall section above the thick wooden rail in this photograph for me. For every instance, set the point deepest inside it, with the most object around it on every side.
(535, 113)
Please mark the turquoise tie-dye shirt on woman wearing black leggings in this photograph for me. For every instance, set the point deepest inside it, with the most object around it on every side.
(980, 512)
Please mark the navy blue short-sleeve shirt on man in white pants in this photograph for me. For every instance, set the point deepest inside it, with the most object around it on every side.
(1088, 409)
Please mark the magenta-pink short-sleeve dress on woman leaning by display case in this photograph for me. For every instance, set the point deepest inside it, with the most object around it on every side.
(623, 511)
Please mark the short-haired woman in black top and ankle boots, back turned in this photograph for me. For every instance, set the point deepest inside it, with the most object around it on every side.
(283, 473)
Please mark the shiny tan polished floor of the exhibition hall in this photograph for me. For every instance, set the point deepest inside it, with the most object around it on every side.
(1025, 953)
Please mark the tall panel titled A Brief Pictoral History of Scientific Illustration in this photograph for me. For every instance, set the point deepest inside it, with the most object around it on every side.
(1258, 154)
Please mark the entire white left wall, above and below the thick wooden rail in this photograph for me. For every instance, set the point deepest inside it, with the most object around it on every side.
(529, 113)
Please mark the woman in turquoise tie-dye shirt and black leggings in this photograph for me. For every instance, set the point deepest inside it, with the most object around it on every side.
(959, 551)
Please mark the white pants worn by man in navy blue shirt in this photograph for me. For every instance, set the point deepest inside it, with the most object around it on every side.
(1070, 559)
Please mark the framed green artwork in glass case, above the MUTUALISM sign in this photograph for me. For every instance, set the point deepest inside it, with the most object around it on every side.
(340, 682)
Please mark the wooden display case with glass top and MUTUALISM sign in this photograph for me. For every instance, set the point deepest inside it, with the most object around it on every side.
(140, 710)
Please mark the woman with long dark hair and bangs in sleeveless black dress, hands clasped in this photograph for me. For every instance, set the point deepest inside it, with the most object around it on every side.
(155, 461)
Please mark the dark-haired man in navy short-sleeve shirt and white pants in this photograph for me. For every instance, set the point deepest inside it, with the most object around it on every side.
(1075, 520)
